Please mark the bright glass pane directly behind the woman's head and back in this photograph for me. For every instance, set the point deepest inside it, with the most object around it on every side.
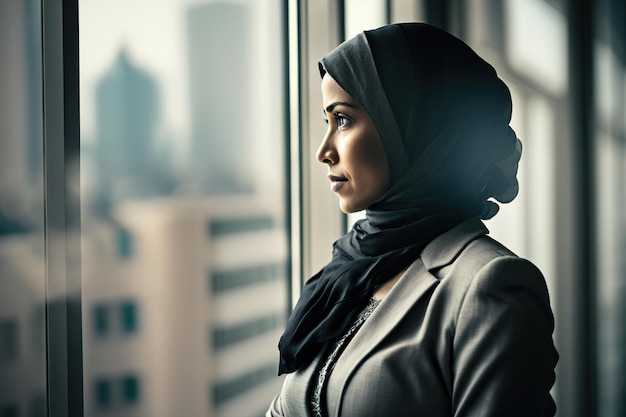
(534, 65)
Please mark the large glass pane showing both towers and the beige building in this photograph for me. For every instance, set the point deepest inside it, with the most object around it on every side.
(184, 209)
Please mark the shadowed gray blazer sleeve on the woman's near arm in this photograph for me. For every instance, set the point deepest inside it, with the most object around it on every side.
(503, 356)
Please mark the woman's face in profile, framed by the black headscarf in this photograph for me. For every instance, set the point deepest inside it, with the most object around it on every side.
(357, 165)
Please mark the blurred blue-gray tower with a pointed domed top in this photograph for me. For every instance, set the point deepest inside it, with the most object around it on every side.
(127, 111)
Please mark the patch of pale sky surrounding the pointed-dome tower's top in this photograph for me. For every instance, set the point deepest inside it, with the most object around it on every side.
(152, 33)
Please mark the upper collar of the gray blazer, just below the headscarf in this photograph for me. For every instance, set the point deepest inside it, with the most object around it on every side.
(444, 249)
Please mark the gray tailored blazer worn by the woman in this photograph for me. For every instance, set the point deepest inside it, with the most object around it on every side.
(466, 331)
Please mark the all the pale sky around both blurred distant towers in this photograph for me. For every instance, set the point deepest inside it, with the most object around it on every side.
(153, 34)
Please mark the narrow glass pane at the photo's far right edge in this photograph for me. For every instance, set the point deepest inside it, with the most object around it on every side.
(610, 197)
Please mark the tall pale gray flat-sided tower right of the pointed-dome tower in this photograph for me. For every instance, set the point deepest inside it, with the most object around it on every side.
(221, 77)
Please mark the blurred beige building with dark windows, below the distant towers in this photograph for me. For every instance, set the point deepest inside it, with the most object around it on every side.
(183, 304)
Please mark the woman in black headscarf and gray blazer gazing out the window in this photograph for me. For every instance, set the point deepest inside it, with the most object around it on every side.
(418, 313)
